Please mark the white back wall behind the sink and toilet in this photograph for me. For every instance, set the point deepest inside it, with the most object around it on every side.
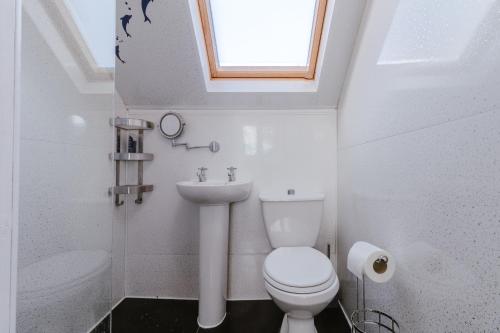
(277, 149)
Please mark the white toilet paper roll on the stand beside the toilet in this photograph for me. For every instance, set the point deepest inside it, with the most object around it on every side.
(365, 259)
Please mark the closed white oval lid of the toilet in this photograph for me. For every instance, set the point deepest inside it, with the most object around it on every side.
(299, 267)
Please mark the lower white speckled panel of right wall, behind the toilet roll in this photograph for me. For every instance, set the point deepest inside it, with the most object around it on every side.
(430, 197)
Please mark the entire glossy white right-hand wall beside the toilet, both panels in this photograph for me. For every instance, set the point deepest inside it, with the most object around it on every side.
(419, 150)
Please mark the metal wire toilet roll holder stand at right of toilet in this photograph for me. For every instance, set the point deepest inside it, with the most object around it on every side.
(366, 320)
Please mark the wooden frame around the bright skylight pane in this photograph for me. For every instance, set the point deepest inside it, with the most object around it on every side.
(262, 72)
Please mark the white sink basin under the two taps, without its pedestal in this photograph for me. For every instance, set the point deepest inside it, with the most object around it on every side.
(214, 192)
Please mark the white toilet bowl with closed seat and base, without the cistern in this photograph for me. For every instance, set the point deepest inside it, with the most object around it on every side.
(302, 282)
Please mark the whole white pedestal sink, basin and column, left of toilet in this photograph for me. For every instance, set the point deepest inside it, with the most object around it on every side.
(214, 198)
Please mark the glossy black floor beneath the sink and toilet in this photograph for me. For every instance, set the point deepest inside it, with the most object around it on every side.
(179, 316)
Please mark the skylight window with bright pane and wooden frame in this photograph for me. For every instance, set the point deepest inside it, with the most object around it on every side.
(262, 38)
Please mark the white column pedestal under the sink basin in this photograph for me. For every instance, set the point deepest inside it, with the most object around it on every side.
(214, 235)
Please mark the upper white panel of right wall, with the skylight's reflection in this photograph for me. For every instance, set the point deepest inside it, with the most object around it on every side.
(390, 99)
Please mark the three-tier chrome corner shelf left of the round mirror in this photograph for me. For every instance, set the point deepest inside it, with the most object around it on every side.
(130, 124)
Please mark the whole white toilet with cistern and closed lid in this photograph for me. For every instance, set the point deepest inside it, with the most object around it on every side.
(300, 279)
